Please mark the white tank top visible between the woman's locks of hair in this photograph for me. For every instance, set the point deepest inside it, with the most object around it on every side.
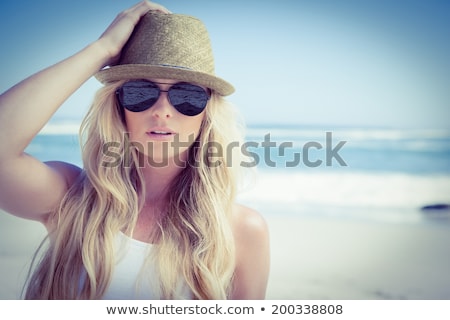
(130, 280)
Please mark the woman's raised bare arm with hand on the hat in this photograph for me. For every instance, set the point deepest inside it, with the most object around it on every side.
(28, 187)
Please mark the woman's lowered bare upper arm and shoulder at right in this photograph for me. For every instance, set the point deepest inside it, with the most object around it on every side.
(252, 255)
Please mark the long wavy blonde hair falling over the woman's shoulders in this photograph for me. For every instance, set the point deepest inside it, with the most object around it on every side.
(195, 234)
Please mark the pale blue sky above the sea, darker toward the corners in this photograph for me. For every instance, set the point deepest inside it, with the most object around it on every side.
(304, 62)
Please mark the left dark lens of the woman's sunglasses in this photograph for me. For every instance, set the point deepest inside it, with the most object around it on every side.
(138, 95)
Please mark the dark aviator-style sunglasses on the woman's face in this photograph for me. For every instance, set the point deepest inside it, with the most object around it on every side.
(140, 95)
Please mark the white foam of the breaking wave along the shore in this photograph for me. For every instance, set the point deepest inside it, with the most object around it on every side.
(360, 192)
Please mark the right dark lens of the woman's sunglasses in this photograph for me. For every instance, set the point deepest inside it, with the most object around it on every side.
(188, 99)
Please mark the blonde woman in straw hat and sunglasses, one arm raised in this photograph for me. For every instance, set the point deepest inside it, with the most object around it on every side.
(152, 213)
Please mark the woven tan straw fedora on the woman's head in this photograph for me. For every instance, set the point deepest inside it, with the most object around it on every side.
(168, 46)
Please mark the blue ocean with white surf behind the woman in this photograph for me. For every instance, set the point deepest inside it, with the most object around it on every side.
(378, 174)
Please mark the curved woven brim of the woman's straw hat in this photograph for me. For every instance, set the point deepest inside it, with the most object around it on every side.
(145, 71)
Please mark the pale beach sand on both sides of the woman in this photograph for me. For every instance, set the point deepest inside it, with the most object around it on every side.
(311, 258)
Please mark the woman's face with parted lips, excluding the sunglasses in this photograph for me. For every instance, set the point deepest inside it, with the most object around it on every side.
(161, 132)
